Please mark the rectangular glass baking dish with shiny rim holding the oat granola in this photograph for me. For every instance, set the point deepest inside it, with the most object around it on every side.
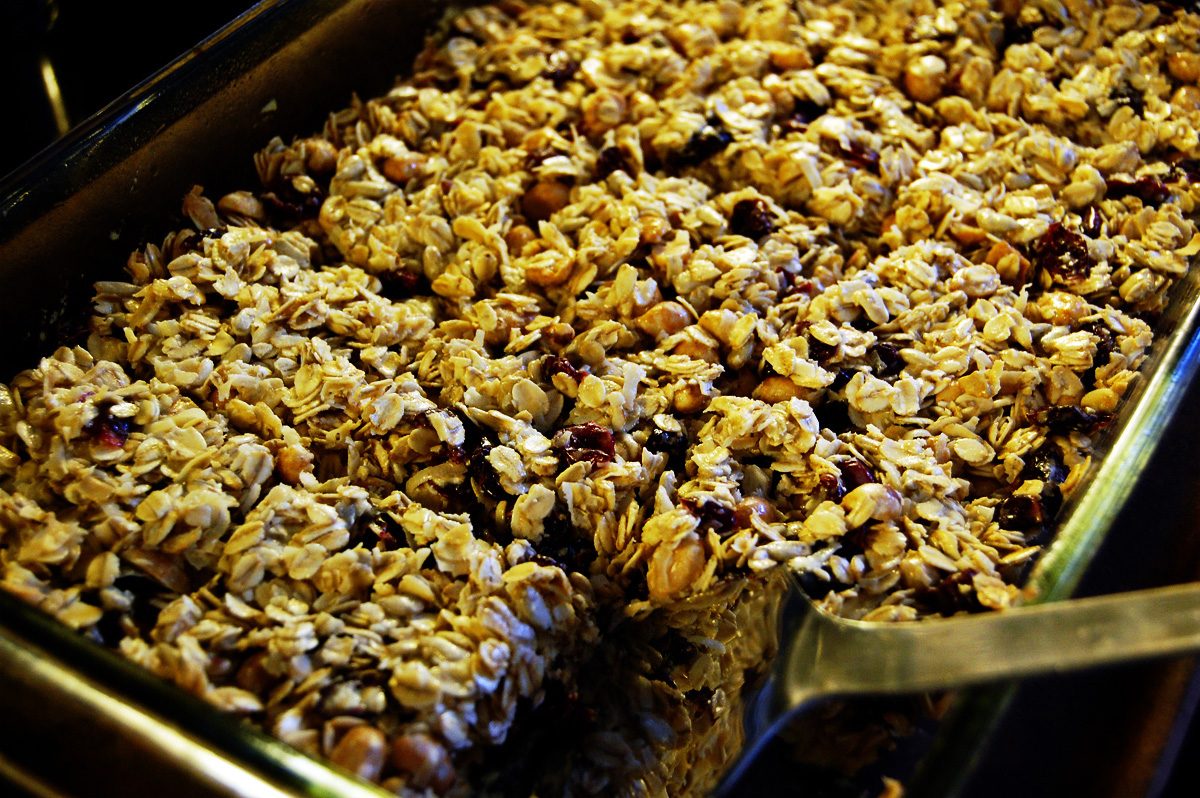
(77, 209)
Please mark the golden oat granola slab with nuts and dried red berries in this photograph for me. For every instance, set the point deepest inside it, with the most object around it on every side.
(503, 406)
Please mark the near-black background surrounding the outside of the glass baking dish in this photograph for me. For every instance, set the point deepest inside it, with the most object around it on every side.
(1065, 736)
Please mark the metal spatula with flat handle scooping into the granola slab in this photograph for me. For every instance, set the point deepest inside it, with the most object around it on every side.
(824, 657)
